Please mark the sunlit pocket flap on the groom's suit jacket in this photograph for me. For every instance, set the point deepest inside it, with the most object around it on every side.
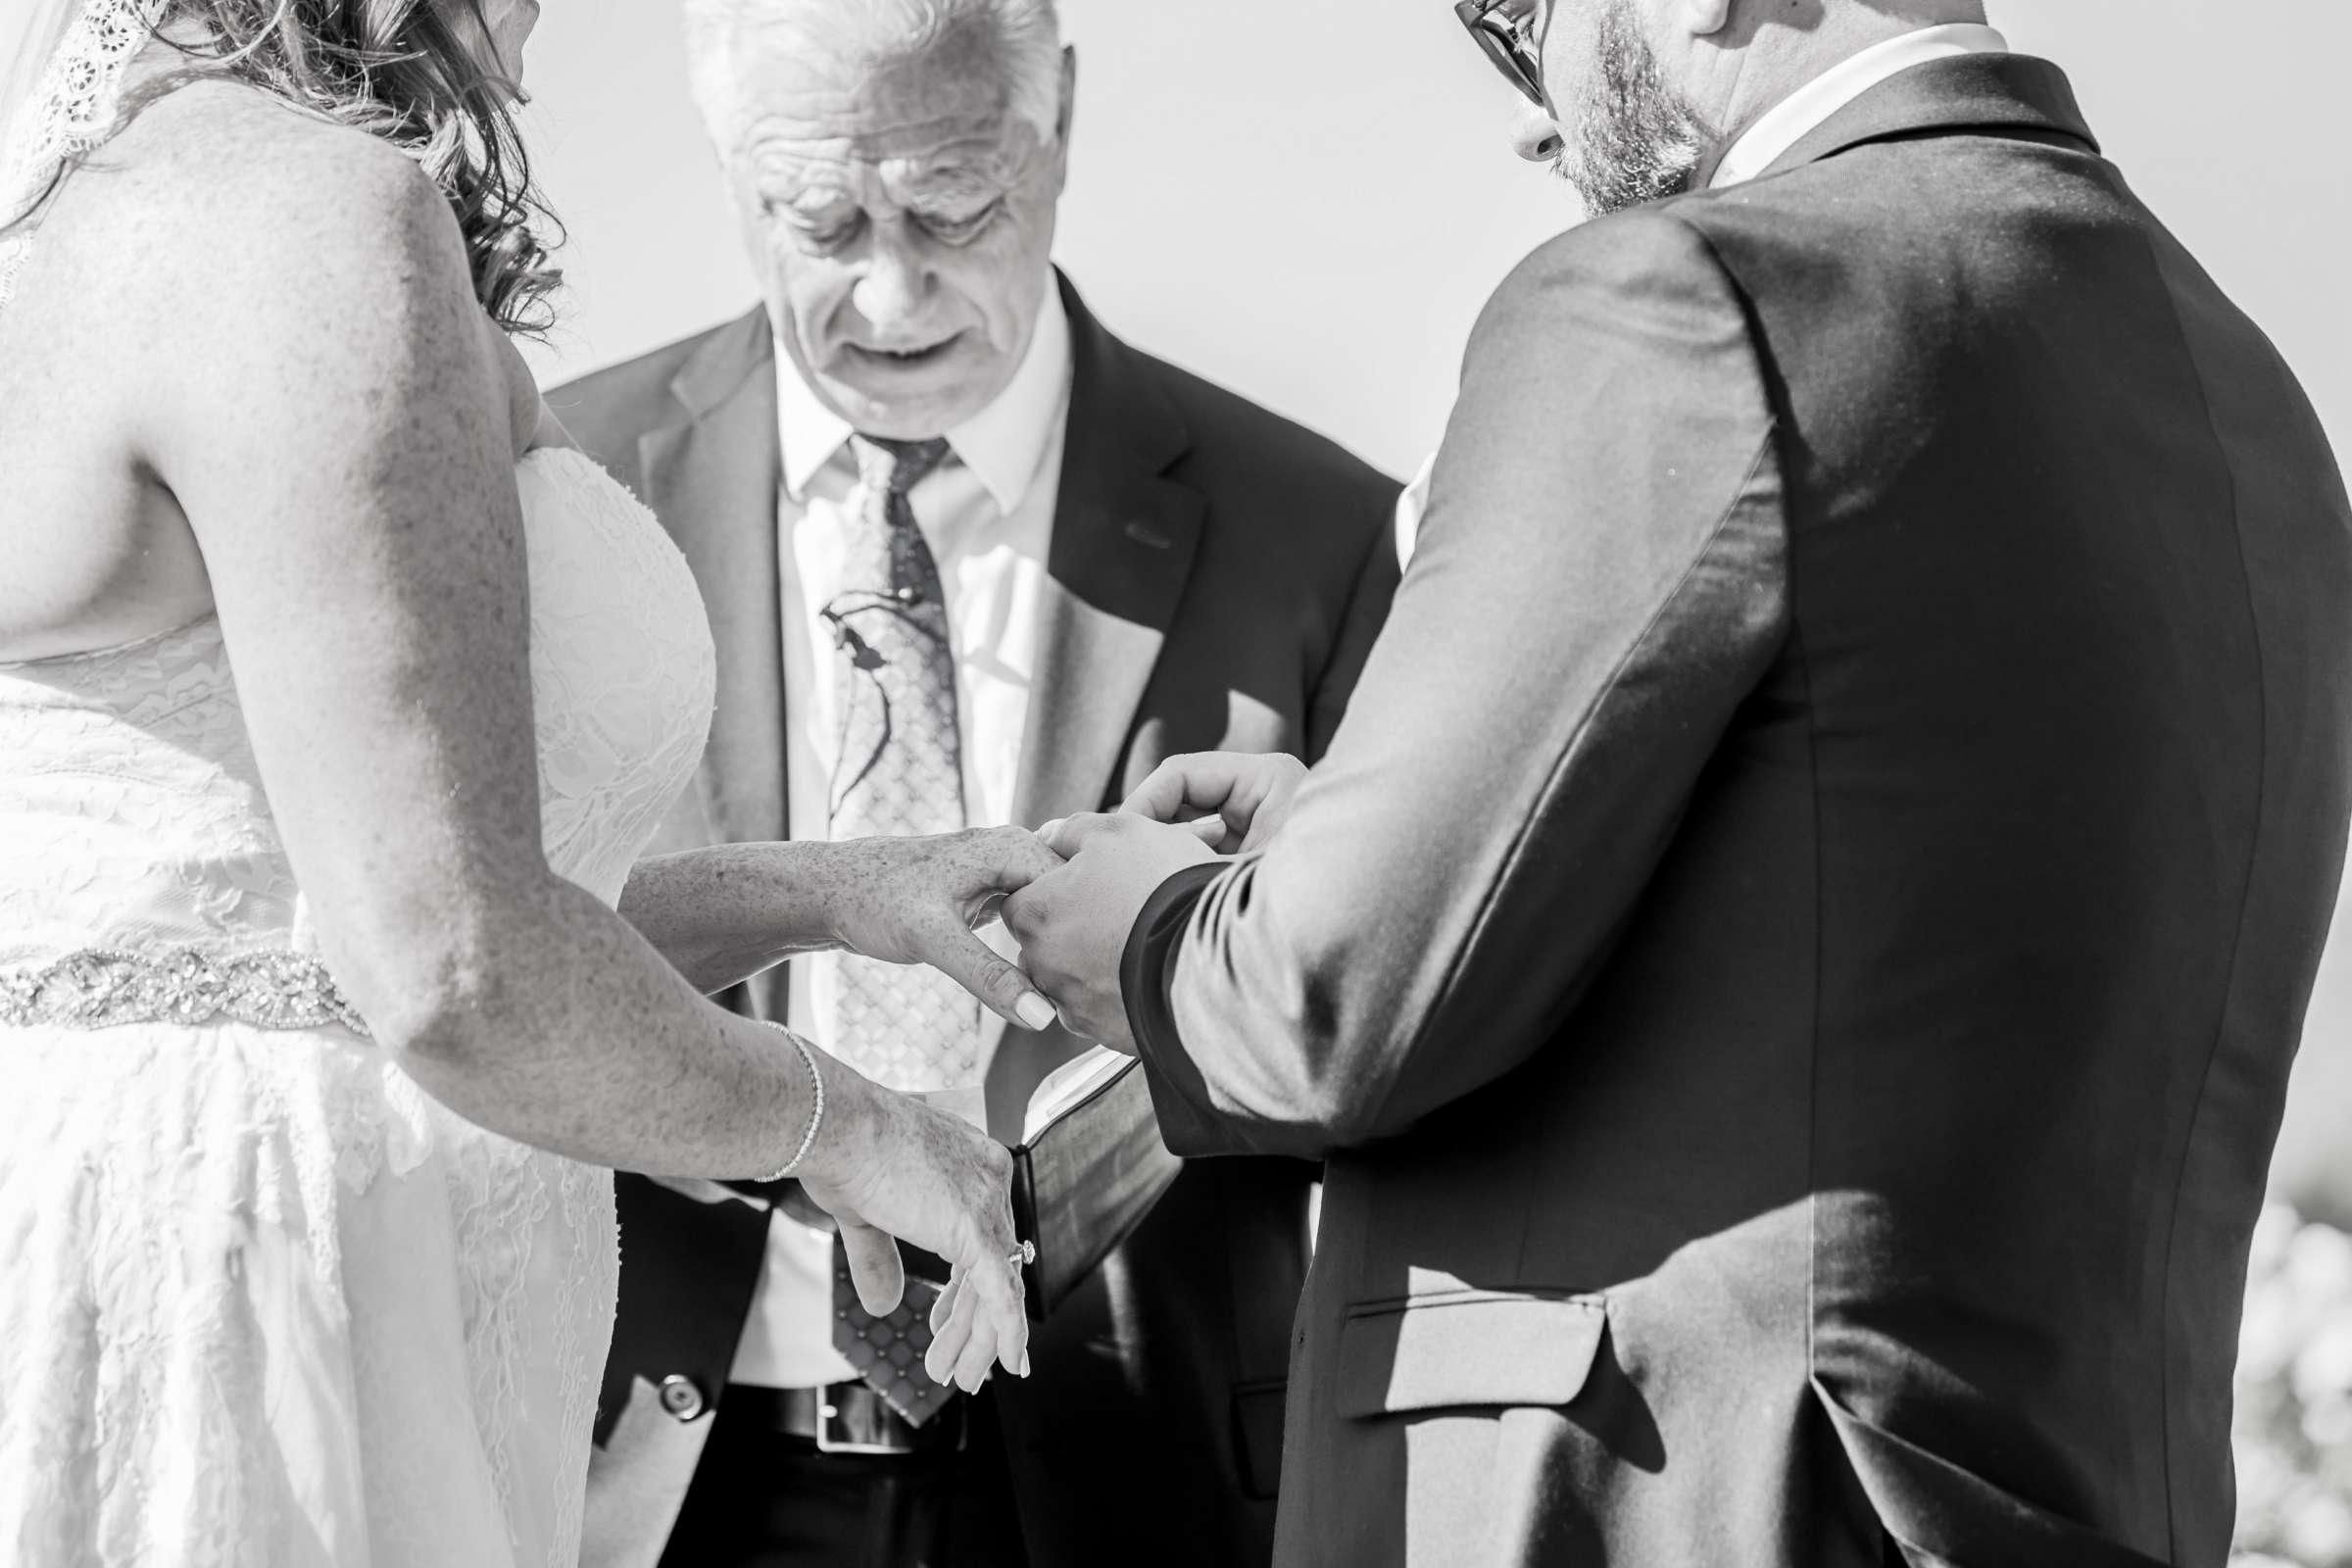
(1466, 1348)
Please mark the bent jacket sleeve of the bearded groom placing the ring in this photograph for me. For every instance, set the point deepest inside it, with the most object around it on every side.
(1598, 589)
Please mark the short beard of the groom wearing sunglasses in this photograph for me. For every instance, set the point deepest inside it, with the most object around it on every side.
(1633, 140)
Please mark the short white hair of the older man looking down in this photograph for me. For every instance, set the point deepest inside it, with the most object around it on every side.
(1027, 34)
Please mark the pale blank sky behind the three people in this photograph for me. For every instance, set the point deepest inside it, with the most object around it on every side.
(1311, 199)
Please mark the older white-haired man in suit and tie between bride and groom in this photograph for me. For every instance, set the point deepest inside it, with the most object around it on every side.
(970, 561)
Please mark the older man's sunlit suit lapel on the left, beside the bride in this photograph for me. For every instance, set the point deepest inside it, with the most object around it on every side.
(714, 485)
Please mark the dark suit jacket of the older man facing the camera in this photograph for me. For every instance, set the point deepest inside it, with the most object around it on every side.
(1217, 582)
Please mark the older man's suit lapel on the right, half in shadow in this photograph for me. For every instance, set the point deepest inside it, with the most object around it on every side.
(1123, 551)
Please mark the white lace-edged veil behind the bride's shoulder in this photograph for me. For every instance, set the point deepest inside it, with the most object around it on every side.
(58, 98)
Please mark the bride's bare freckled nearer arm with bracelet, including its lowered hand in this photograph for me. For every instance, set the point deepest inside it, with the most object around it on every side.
(326, 403)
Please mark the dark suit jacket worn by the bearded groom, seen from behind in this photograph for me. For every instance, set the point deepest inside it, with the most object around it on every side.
(1800, 939)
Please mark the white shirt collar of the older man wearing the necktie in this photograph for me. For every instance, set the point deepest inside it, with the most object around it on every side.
(1003, 445)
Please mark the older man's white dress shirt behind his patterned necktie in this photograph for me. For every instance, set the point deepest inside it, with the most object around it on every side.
(989, 518)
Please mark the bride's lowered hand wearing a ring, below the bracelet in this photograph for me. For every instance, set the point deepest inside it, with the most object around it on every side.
(895, 1167)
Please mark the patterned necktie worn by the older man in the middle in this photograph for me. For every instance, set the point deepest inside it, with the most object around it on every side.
(900, 770)
